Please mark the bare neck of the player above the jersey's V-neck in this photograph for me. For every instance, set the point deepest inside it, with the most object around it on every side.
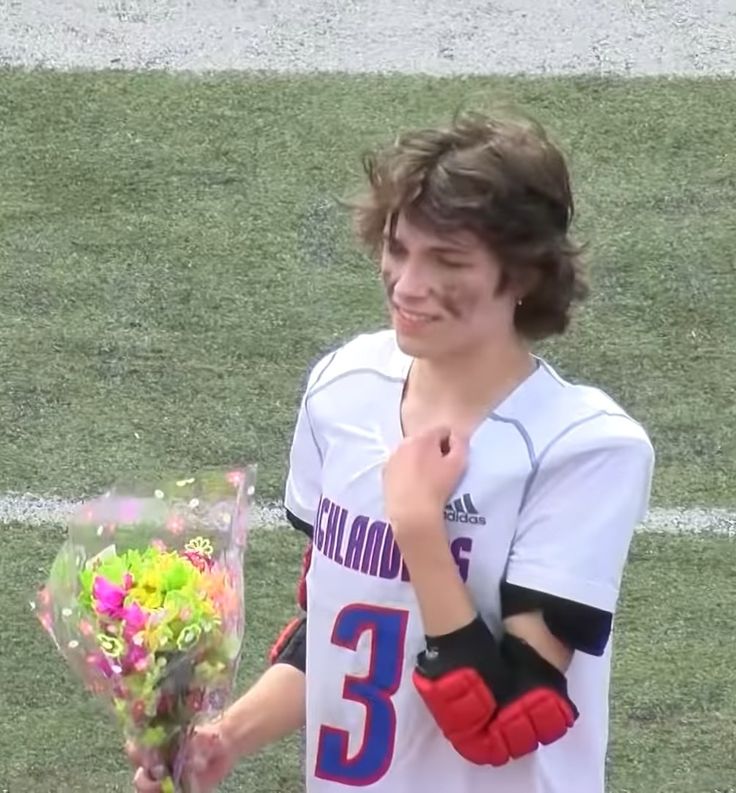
(477, 378)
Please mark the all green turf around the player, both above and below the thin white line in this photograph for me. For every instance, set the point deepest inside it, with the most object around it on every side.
(172, 258)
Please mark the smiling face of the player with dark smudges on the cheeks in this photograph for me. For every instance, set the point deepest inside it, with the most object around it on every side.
(443, 292)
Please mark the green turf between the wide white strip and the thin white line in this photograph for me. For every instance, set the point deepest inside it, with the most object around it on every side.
(172, 259)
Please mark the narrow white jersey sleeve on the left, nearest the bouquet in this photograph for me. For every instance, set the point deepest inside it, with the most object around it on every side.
(304, 479)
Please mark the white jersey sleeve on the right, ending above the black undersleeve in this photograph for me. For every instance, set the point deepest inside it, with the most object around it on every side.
(589, 491)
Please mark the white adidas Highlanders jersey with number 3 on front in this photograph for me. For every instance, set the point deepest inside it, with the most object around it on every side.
(558, 478)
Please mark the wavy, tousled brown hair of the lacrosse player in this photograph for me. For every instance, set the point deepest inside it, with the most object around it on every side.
(499, 177)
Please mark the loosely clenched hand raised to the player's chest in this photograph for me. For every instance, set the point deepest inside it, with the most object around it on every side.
(419, 478)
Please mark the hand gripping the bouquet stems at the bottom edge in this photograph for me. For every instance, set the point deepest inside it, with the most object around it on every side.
(210, 759)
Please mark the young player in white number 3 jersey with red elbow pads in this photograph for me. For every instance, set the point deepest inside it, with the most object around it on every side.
(470, 512)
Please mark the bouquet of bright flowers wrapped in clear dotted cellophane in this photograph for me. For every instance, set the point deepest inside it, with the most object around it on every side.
(145, 602)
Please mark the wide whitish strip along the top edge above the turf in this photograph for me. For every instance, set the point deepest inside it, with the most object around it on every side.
(441, 37)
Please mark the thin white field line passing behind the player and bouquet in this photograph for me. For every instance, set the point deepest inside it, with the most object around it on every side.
(42, 511)
